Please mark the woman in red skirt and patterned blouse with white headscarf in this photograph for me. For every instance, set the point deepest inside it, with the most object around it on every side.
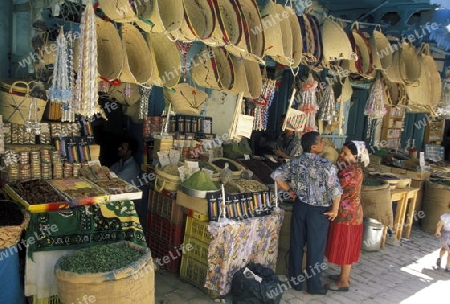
(345, 232)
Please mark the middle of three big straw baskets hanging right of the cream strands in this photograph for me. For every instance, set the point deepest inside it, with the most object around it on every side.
(139, 64)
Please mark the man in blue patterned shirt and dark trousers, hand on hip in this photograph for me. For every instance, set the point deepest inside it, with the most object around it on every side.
(313, 183)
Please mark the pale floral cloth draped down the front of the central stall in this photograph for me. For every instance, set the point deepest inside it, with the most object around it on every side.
(236, 244)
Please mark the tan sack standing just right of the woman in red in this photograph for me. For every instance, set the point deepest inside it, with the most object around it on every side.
(377, 204)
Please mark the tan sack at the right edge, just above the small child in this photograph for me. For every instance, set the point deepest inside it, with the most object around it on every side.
(436, 201)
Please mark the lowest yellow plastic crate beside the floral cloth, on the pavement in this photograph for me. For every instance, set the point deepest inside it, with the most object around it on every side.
(194, 272)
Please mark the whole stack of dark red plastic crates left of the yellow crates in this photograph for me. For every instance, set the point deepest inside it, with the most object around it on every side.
(165, 229)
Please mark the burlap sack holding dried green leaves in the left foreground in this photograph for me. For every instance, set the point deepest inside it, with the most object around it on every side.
(128, 285)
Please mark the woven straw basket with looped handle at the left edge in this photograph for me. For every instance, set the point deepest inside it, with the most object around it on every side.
(15, 108)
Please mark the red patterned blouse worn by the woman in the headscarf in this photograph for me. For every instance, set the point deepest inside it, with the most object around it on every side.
(350, 210)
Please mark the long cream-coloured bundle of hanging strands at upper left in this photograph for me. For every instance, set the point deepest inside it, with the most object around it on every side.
(86, 90)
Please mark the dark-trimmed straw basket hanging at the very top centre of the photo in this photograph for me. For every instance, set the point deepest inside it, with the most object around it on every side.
(229, 20)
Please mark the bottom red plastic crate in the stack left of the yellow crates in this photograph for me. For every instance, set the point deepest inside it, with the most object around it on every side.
(169, 256)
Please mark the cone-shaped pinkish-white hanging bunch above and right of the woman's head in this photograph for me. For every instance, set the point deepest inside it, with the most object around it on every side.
(375, 108)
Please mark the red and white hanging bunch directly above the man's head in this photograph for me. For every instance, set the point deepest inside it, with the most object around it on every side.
(308, 103)
